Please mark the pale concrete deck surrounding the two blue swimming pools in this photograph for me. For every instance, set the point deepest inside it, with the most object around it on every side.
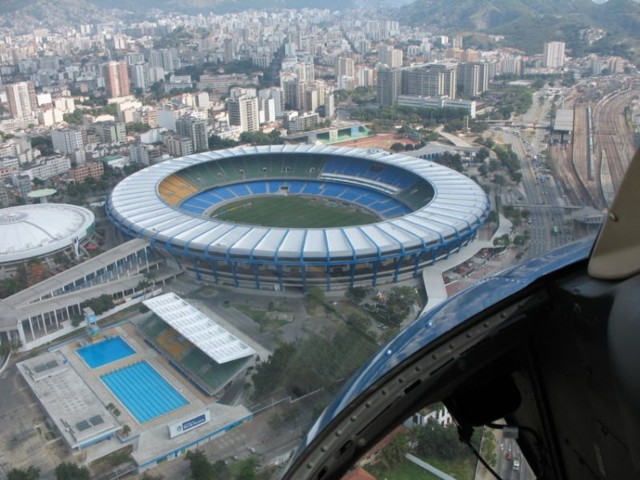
(82, 387)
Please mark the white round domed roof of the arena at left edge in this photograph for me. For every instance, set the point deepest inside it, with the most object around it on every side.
(33, 230)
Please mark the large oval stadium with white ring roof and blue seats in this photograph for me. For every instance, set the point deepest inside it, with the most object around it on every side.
(360, 217)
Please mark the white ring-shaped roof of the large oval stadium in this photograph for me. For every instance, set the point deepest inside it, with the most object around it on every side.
(458, 204)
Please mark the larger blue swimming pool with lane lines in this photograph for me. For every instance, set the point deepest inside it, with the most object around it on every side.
(143, 391)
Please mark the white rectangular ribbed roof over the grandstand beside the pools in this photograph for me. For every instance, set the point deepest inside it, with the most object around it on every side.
(216, 342)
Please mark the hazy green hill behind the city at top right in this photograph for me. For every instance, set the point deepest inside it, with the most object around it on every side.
(527, 24)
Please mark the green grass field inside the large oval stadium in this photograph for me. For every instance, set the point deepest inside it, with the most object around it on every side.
(293, 212)
